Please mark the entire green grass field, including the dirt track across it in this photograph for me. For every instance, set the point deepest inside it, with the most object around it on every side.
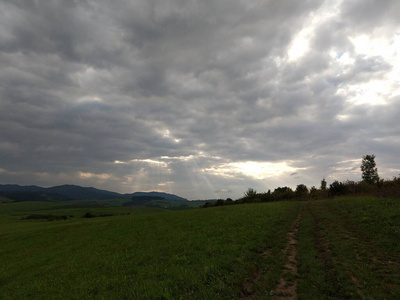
(328, 249)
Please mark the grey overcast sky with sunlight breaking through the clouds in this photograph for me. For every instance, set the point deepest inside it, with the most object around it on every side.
(201, 98)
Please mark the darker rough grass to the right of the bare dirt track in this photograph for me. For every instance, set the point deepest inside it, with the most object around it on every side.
(350, 249)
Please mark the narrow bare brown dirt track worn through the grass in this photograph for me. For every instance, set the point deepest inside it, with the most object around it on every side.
(287, 287)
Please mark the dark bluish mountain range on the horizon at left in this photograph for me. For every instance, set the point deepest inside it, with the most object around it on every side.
(72, 192)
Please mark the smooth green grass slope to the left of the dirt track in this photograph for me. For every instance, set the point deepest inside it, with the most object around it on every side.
(202, 254)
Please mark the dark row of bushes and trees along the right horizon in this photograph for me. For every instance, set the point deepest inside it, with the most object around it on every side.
(370, 184)
